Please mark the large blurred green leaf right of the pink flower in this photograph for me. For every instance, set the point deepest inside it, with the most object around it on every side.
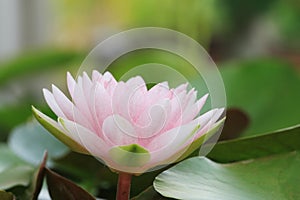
(267, 90)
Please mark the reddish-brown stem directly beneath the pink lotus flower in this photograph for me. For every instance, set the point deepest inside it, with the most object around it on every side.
(124, 183)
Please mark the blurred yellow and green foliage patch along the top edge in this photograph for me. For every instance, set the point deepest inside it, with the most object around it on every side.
(197, 19)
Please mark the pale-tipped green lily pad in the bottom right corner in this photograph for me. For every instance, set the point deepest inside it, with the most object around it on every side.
(266, 178)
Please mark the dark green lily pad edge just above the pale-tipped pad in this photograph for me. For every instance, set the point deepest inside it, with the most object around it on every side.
(281, 141)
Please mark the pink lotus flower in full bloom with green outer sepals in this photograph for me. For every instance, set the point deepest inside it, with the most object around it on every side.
(130, 128)
